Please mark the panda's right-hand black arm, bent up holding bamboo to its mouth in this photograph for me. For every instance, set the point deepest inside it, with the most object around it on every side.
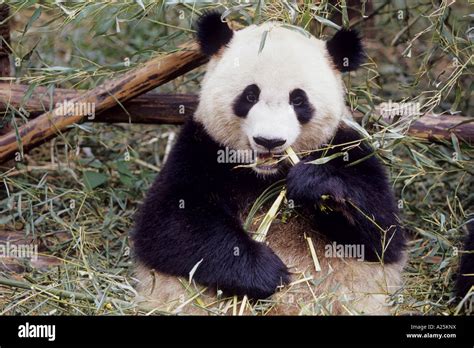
(349, 198)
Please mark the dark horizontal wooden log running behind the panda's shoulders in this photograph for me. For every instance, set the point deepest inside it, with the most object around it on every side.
(154, 108)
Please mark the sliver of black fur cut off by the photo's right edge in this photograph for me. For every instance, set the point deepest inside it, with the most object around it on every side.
(465, 280)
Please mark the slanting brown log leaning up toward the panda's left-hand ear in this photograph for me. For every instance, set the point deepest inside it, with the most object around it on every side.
(151, 74)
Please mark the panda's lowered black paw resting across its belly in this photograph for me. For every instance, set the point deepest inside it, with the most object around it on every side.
(257, 275)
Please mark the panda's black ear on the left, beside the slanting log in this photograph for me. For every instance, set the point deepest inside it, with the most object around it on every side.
(212, 33)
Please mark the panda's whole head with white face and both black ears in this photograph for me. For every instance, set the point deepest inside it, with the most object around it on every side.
(268, 87)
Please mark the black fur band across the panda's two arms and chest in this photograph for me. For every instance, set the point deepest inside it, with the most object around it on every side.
(172, 239)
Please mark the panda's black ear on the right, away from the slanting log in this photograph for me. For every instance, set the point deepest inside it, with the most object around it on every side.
(346, 50)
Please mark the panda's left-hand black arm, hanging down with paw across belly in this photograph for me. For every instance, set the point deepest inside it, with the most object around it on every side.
(187, 223)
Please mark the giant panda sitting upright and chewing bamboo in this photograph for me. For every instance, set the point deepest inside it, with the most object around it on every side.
(269, 87)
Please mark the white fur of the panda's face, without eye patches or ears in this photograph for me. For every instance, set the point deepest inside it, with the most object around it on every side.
(288, 60)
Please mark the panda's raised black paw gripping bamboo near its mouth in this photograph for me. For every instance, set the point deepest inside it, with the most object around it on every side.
(313, 184)
